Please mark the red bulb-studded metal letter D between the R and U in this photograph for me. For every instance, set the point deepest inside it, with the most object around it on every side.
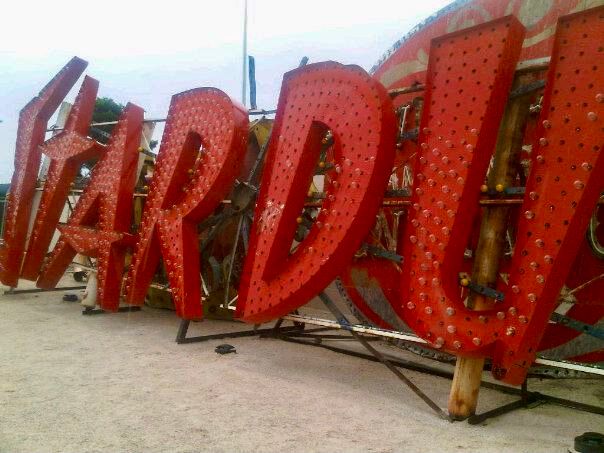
(358, 111)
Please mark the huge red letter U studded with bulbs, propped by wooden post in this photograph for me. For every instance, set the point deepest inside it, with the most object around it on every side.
(565, 182)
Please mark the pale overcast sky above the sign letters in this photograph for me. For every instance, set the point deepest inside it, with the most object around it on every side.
(144, 52)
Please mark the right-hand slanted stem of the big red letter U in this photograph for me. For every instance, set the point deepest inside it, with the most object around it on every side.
(563, 187)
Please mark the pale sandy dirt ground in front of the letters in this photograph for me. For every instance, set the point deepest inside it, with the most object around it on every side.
(119, 382)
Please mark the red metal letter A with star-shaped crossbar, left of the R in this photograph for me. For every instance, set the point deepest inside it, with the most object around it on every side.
(100, 223)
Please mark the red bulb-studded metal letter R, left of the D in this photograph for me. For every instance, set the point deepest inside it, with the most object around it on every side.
(201, 153)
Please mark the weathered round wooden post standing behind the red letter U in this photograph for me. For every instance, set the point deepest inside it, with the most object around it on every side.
(491, 246)
